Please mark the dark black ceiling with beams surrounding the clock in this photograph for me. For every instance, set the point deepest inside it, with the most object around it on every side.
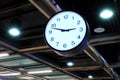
(102, 56)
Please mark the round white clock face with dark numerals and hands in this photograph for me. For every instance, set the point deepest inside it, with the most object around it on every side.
(65, 31)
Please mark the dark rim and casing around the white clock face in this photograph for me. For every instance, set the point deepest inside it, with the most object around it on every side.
(67, 52)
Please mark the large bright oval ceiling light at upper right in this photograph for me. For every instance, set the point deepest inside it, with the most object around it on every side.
(106, 14)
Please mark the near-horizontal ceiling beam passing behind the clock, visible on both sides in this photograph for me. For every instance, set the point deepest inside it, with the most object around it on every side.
(94, 41)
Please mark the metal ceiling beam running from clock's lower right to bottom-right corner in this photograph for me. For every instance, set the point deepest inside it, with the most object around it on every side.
(95, 56)
